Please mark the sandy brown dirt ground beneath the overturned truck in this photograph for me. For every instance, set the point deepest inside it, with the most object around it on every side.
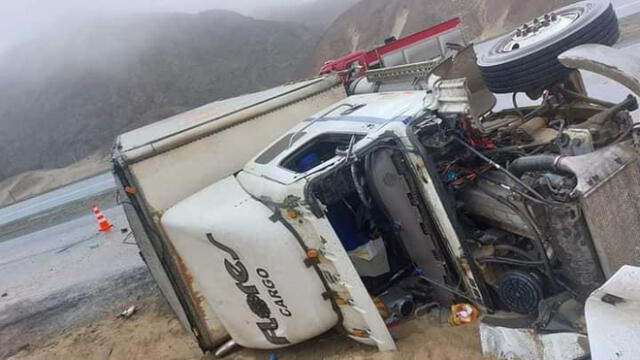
(154, 333)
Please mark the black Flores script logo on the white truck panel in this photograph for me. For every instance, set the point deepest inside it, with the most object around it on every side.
(257, 305)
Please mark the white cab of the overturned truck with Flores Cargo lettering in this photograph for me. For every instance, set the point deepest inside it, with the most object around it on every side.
(279, 256)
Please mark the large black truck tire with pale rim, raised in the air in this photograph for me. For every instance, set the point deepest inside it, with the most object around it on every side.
(529, 63)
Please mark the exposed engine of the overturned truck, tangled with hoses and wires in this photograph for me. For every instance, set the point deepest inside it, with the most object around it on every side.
(515, 198)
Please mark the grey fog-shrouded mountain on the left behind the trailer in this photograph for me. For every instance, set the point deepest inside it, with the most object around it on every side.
(67, 96)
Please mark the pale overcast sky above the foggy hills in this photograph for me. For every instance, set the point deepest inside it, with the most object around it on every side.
(22, 19)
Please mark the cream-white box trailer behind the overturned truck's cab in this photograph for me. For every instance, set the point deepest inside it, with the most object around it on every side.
(188, 152)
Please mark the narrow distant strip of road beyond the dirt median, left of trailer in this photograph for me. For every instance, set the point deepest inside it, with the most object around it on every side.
(50, 200)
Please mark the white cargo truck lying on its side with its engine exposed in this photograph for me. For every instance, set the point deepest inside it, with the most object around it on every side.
(352, 201)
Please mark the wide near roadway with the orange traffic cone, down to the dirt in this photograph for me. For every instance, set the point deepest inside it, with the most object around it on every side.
(66, 275)
